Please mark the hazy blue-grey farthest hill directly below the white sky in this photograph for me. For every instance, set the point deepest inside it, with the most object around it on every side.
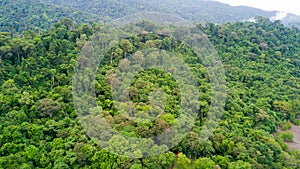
(193, 10)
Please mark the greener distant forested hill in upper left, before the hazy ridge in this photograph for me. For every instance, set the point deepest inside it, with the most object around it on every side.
(20, 15)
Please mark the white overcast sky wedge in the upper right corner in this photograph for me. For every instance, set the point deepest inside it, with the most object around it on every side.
(292, 6)
